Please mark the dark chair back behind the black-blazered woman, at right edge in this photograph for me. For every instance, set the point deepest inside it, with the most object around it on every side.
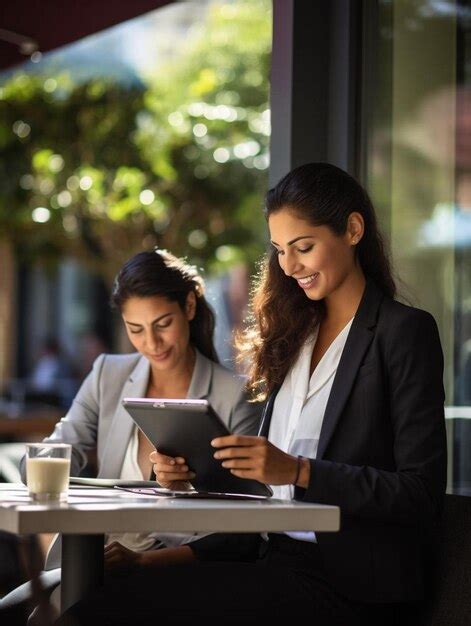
(449, 600)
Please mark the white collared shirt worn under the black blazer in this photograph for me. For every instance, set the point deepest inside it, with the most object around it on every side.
(300, 405)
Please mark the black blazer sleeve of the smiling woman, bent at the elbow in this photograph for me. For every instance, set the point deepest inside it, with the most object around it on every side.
(413, 493)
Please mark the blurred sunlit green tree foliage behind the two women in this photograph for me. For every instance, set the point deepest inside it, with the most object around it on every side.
(98, 171)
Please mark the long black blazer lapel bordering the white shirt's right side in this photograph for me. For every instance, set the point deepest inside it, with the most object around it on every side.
(358, 340)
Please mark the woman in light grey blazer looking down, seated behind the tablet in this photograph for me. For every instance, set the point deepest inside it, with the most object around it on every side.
(168, 321)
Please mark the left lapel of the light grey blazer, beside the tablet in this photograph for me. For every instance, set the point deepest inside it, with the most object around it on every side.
(122, 425)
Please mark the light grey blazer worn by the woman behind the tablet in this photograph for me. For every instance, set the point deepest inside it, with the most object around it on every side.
(97, 419)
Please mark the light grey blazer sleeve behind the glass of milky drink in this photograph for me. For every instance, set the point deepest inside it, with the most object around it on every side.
(79, 427)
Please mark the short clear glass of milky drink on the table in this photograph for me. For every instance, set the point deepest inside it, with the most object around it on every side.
(48, 471)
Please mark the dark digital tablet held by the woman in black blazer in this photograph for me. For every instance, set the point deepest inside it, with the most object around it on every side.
(186, 428)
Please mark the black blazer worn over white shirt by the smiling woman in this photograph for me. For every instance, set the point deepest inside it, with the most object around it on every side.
(382, 453)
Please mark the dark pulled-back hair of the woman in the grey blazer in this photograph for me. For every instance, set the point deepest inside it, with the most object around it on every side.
(160, 273)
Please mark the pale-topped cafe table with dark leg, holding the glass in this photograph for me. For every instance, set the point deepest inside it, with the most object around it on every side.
(90, 513)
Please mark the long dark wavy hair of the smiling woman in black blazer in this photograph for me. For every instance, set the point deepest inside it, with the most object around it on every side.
(282, 316)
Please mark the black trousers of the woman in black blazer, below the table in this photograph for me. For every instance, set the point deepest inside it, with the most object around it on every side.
(286, 580)
